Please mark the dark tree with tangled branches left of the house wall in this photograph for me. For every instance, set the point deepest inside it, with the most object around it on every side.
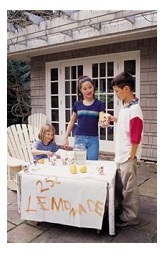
(18, 91)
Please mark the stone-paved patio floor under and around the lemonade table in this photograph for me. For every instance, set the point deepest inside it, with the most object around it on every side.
(19, 231)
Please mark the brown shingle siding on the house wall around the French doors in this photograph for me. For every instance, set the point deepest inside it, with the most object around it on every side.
(148, 83)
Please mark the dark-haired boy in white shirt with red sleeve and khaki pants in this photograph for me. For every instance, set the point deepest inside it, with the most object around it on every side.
(129, 129)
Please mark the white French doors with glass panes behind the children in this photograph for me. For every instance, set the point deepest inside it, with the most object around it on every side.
(61, 84)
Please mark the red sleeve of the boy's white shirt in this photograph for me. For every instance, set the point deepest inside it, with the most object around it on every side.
(136, 128)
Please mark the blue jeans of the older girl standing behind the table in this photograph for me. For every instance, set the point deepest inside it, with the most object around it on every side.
(91, 143)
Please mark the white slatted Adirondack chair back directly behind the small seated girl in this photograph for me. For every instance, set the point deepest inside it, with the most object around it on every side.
(37, 120)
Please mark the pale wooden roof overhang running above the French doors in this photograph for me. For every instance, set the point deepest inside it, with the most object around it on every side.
(87, 30)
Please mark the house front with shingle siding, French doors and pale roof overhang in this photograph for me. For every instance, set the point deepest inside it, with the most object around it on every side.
(100, 44)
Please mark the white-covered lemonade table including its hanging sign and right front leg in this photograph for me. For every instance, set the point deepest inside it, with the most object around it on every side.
(53, 194)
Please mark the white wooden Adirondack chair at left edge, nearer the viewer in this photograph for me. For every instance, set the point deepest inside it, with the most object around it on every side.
(20, 138)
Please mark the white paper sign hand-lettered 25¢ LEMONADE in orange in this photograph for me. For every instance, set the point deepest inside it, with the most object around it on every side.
(62, 200)
